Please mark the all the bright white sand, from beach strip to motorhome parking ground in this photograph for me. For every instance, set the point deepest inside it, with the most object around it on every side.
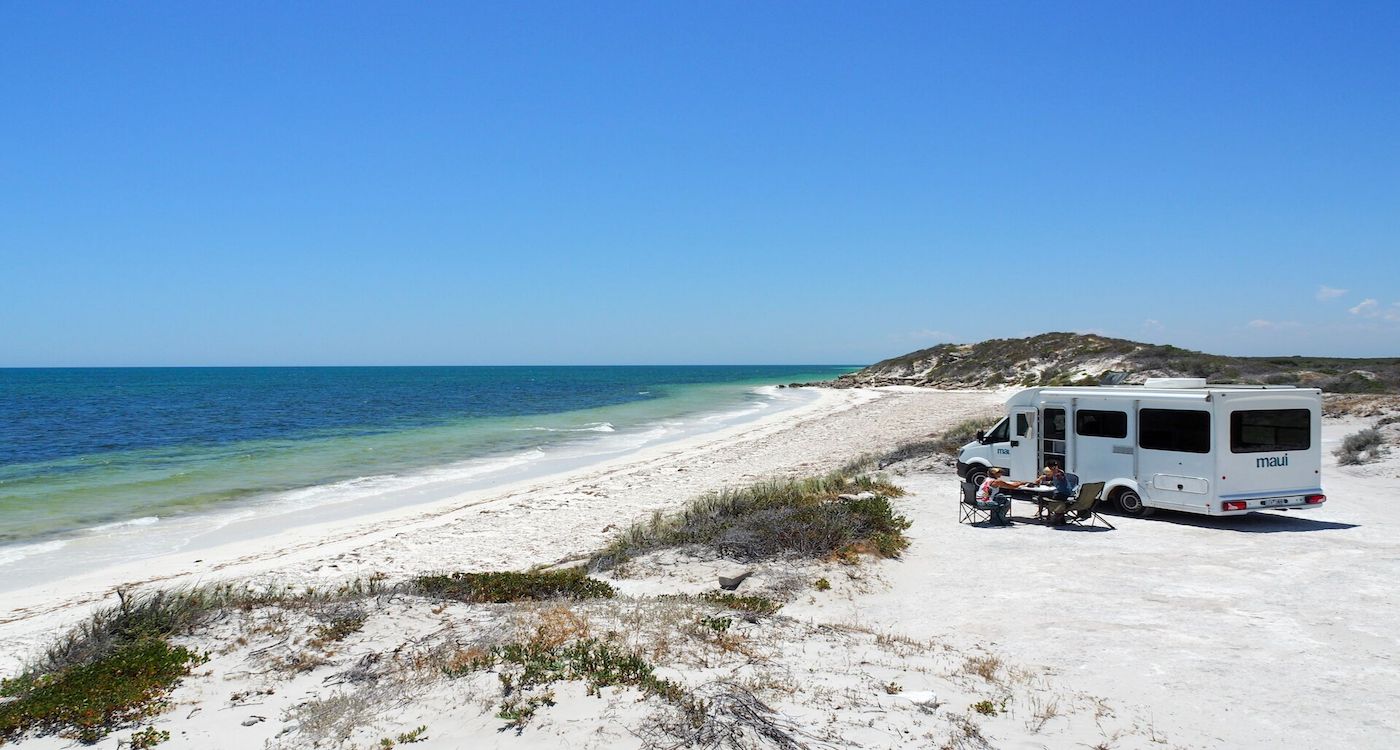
(1272, 630)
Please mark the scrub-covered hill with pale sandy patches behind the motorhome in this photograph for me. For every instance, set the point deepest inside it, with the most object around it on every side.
(1087, 359)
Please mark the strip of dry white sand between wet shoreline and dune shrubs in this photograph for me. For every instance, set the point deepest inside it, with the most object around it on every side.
(514, 525)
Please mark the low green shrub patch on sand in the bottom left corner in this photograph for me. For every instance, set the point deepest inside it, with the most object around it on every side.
(89, 702)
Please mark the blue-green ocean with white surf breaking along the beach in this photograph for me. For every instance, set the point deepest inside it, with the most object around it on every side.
(115, 454)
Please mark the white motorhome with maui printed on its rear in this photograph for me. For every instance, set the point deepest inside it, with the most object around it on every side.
(1172, 443)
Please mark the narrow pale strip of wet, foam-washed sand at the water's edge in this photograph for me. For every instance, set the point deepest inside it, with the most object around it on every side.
(345, 502)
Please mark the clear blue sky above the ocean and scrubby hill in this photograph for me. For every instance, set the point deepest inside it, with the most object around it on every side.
(692, 183)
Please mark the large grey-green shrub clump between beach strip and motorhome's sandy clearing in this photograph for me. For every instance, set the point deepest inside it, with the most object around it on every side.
(803, 517)
